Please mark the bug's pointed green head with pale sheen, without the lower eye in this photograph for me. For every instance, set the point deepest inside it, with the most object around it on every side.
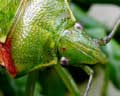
(78, 47)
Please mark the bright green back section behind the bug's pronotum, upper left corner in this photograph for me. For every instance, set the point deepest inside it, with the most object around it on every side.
(7, 12)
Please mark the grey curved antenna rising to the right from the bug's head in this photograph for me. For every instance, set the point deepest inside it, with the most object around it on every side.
(105, 40)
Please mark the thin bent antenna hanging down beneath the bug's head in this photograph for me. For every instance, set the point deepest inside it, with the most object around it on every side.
(90, 72)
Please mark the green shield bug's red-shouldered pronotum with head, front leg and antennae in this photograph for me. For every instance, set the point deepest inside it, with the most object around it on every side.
(45, 33)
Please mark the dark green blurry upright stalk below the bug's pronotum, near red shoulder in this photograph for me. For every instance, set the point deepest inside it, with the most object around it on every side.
(30, 86)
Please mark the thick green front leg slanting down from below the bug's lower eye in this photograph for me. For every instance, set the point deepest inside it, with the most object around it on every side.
(68, 80)
